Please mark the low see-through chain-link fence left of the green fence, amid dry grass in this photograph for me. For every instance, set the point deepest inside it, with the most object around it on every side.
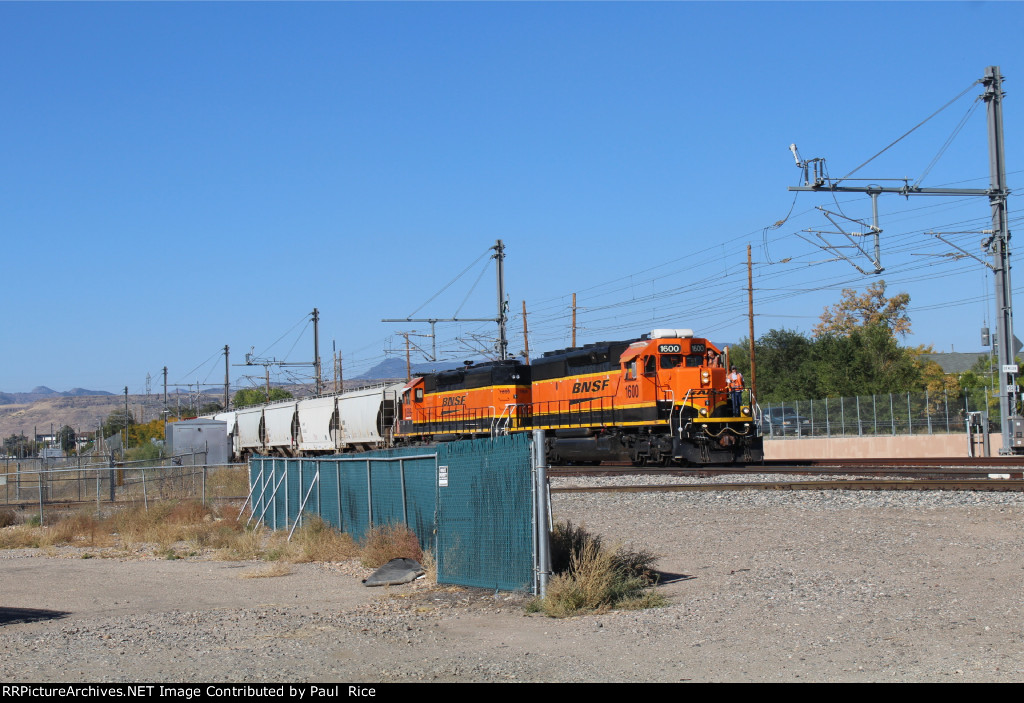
(36, 485)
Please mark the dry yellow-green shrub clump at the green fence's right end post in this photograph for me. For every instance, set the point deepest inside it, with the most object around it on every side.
(592, 578)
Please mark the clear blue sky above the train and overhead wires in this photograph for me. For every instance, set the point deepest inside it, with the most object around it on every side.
(180, 177)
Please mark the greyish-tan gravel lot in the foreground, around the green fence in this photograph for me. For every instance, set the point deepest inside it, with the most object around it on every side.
(764, 586)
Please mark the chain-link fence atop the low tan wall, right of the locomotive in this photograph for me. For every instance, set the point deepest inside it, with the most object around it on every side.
(873, 416)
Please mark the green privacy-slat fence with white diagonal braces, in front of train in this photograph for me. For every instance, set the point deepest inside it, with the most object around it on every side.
(470, 503)
